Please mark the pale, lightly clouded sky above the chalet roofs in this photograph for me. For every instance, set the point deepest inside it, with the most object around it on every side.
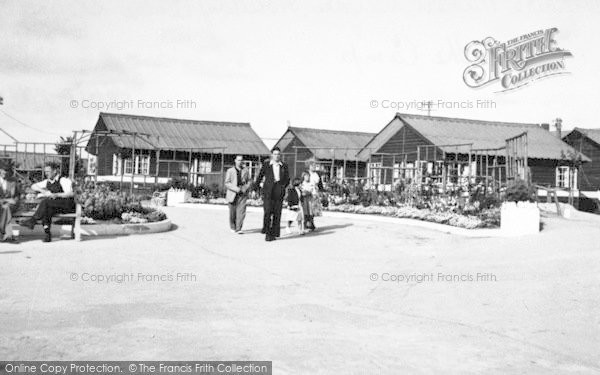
(321, 64)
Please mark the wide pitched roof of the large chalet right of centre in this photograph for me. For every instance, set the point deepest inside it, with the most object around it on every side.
(482, 134)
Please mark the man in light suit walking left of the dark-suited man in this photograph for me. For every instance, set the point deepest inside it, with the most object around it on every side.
(237, 182)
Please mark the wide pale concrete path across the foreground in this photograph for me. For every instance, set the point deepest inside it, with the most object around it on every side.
(322, 303)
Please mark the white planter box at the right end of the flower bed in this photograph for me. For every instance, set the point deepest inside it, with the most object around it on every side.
(517, 218)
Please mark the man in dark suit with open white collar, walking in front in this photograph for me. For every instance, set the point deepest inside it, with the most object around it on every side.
(276, 179)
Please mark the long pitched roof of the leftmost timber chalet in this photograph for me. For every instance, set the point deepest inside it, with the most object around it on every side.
(178, 134)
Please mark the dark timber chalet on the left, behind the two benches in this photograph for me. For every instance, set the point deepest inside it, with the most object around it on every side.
(147, 149)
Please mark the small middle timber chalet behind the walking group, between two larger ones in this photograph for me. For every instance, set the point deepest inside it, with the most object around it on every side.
(334, 151)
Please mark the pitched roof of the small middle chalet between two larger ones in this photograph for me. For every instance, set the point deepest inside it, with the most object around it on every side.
(327, 144)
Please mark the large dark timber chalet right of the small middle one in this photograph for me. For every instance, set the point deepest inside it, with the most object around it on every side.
(450, 148)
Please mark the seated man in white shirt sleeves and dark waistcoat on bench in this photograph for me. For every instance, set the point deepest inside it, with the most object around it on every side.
(57, 198)
